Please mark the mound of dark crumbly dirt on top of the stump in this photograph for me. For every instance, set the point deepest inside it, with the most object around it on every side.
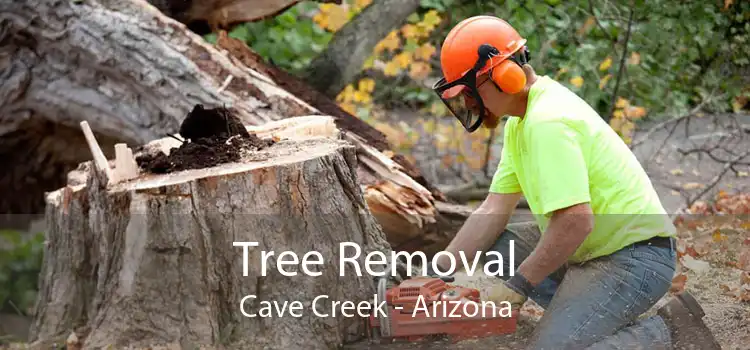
(212, 137)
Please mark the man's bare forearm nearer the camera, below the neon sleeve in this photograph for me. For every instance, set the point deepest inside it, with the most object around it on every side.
(562, 238)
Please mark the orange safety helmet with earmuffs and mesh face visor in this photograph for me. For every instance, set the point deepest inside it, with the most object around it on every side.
(475, 46)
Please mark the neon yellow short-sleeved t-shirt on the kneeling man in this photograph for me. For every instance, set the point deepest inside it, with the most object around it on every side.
(562, 153)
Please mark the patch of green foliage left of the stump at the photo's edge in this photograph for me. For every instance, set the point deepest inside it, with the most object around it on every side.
(20, 264)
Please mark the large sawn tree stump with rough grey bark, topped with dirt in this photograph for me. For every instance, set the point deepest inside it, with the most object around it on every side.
(151, 260)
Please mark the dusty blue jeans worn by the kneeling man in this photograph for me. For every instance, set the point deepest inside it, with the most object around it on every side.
(597, 304)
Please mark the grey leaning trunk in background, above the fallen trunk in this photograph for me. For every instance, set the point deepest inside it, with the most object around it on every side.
(347, 51)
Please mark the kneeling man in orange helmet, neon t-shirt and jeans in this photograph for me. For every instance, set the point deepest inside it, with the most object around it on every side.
(602, 251)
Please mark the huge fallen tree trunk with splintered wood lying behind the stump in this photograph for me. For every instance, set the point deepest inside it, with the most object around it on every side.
(133, 74)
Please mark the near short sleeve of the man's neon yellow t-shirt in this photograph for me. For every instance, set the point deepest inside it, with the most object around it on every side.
(559, 166)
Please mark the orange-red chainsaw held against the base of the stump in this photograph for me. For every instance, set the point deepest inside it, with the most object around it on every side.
(426, 307)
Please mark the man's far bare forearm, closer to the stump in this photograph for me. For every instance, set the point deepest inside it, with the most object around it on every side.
(481, 229)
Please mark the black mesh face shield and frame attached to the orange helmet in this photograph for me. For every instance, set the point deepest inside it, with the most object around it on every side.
(454, 94)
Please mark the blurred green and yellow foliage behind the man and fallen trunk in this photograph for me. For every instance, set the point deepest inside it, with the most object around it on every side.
(632, 60)
